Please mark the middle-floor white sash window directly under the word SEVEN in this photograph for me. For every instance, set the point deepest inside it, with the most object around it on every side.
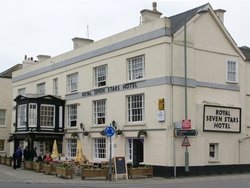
(99, 112)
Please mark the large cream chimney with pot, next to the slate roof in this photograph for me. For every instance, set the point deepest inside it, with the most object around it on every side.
(150, 15)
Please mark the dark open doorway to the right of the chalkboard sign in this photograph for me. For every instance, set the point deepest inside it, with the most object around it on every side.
(137, 152)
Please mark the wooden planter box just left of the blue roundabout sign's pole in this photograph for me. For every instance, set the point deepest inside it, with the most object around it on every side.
(98, 172)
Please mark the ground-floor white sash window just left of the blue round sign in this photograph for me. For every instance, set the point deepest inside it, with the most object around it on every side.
(100, 149)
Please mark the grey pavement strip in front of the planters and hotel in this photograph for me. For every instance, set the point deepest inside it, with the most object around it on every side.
(8, 174)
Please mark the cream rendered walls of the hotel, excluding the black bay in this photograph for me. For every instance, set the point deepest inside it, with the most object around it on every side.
(123, 78)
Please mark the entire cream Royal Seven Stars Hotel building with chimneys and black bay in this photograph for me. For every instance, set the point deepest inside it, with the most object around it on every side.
(144, 82)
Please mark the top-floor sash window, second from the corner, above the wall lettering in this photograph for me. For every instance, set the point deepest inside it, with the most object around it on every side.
(101, 75)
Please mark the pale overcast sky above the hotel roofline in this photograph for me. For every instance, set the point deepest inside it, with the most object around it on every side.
(35, 27)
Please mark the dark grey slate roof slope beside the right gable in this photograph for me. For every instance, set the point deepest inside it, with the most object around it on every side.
(177, 21)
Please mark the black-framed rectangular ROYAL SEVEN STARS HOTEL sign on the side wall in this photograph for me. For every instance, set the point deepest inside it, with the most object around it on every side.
(222, 119)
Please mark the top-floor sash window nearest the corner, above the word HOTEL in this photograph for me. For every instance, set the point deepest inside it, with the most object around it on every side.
(136, 68)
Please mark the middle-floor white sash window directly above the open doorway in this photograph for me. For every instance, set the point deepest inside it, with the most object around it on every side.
(132, 108)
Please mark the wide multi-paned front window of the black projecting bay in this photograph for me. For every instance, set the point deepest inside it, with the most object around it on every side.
(47, 116)
